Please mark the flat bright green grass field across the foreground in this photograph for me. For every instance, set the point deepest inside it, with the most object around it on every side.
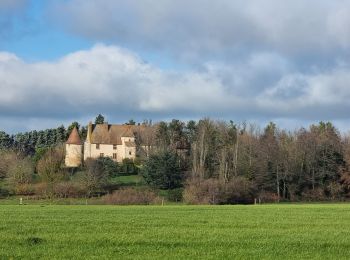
(175, 232)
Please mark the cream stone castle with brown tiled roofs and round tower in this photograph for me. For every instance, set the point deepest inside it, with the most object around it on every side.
(103, 140)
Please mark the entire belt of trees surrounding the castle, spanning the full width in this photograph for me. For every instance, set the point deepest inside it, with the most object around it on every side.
(204, 161)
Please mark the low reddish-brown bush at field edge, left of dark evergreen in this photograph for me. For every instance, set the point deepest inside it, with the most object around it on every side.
(131, 196)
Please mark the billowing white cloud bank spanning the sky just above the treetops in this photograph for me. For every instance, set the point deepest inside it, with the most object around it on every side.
(115, 81)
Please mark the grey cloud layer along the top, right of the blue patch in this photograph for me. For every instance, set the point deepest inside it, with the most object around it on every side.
(200, 29)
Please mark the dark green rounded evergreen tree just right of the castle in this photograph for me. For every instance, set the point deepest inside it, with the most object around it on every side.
(162, 171)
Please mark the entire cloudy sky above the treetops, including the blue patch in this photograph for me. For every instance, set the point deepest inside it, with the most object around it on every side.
(256, 61)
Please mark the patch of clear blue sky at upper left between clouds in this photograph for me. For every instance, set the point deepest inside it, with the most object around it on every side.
(33, 38)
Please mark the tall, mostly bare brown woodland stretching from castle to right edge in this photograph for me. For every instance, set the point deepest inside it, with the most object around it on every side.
(226, 162)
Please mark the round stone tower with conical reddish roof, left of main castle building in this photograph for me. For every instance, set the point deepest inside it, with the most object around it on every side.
(74, 150)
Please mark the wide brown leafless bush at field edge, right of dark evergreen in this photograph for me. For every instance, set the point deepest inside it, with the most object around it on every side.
(214, 191)
